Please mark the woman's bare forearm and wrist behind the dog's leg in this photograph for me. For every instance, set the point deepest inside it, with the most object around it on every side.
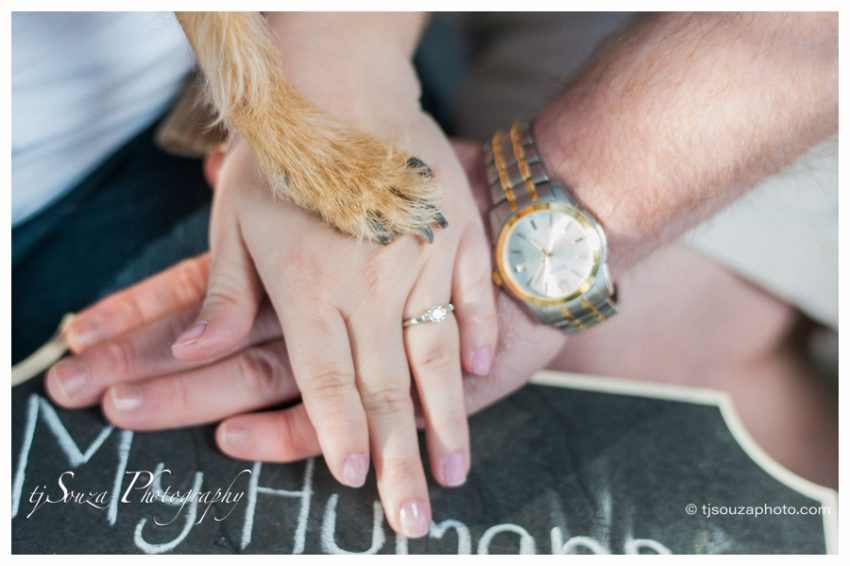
(357, 66)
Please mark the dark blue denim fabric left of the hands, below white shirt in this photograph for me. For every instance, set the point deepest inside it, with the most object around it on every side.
(69, 254)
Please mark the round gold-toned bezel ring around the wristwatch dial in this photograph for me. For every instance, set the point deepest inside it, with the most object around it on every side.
(580, 217)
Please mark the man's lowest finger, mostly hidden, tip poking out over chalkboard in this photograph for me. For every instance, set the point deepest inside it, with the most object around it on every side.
(273, 436)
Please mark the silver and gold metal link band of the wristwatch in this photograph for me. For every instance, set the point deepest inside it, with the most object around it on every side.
(517, 177)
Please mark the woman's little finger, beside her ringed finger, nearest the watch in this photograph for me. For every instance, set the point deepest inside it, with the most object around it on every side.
(475, 303)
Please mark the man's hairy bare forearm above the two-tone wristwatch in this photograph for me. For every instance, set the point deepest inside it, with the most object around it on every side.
(679, 114)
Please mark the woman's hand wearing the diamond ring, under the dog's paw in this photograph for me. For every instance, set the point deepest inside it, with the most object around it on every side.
(341, 304)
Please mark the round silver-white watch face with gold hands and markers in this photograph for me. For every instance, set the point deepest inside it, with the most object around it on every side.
(549, 253)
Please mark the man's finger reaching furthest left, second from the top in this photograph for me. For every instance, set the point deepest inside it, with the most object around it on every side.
(80, 381)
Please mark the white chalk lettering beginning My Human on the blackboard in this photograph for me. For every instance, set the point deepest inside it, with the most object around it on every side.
(148, 534)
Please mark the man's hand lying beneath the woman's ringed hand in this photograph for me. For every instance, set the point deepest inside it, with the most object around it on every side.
(123, 347)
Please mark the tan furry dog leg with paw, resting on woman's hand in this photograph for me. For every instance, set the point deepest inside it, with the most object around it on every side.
(355, 181)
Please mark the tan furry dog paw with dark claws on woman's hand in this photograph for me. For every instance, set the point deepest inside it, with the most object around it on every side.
(353, 180)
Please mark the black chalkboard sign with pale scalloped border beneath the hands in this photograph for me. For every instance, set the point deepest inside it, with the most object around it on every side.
(569, 464)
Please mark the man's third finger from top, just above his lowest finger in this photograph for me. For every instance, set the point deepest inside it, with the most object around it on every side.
(254, 378)
